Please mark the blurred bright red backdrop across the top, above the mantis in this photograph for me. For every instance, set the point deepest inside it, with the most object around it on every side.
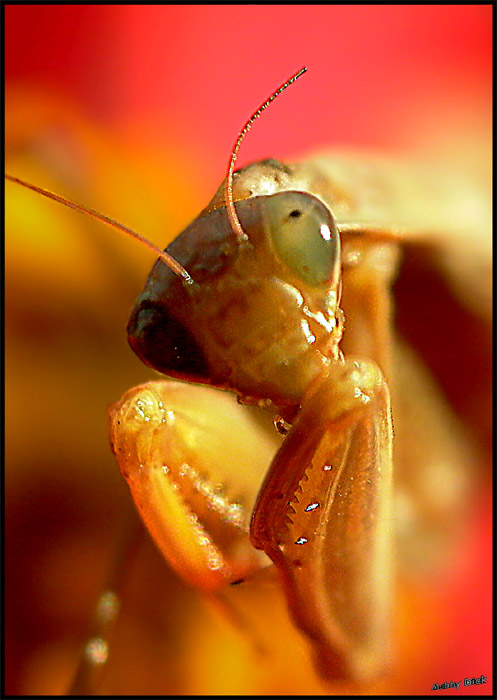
(378, 74)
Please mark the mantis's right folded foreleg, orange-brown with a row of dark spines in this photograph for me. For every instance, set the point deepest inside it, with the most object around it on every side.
(324, 517)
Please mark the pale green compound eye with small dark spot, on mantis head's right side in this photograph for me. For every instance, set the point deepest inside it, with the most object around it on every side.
(305, 236)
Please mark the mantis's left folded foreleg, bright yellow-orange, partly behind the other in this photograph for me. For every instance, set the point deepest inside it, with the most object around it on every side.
(193, 459)
